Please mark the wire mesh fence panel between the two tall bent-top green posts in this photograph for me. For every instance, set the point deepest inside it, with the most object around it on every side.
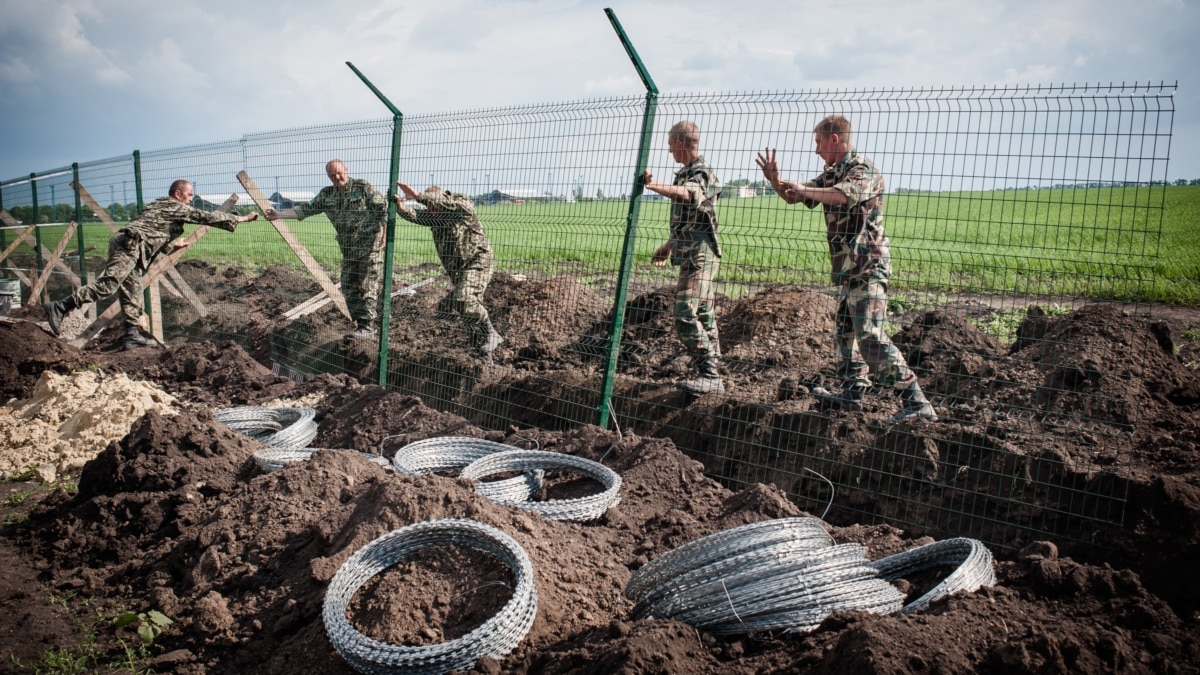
(550, 187)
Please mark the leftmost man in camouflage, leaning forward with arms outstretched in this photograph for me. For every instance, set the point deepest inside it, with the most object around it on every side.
(130, 254)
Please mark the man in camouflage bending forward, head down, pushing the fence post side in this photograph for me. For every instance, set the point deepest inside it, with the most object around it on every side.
(465, 253)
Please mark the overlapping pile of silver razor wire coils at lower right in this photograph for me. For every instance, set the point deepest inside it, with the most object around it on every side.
(788, 575)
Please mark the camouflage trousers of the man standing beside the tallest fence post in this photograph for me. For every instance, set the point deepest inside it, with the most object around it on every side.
(695, 312)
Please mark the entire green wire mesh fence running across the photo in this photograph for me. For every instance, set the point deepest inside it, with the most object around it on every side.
(998, 199)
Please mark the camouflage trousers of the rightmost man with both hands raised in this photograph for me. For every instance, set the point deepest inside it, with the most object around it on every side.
(863, 345)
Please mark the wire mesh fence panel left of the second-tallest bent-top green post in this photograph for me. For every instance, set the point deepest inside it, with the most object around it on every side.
(250, 280)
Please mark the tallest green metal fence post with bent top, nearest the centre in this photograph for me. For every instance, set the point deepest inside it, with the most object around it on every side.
(635, 206)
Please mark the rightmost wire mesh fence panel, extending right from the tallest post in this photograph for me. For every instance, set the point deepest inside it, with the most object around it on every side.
(1009, 211)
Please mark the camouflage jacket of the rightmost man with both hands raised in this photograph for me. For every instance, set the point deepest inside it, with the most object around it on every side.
(859, 248)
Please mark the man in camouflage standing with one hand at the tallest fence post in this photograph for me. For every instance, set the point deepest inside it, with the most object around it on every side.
(694, 247)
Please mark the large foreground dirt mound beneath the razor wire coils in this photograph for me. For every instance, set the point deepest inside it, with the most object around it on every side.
(177, 519)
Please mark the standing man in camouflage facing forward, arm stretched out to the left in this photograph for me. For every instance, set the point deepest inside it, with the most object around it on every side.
(359, 214)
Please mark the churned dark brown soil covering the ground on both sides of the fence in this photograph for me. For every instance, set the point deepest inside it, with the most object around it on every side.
(177, 518)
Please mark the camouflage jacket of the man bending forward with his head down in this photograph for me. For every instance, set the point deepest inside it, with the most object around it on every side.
(458, 234)
